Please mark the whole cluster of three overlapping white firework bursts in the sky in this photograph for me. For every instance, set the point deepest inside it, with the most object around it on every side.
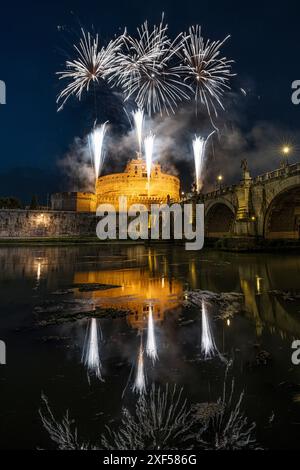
(155, 71)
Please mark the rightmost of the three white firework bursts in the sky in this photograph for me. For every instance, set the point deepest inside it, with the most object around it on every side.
(206, 72)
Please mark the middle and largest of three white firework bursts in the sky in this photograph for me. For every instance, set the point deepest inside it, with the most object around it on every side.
(147, 70)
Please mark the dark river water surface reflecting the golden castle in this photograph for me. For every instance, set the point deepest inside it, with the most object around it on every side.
(45, 342)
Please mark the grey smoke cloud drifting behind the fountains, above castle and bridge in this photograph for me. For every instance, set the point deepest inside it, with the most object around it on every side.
(234, 141)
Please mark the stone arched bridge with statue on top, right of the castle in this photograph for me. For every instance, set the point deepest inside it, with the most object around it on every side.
(267, 206)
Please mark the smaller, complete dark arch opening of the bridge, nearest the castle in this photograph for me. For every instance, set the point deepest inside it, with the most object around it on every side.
(219, 218)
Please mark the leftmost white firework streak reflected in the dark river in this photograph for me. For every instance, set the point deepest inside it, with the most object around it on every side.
(90, 355)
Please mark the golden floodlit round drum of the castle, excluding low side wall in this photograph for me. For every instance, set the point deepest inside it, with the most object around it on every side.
(133, 184)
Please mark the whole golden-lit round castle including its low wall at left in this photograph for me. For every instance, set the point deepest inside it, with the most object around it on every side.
(132, 183)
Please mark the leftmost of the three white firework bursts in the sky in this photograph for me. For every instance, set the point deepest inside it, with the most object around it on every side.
(91, 65)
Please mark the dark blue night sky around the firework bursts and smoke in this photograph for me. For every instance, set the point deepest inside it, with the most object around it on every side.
(33, 38)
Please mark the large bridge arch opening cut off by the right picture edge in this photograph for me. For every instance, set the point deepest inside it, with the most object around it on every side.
(282, 219)
